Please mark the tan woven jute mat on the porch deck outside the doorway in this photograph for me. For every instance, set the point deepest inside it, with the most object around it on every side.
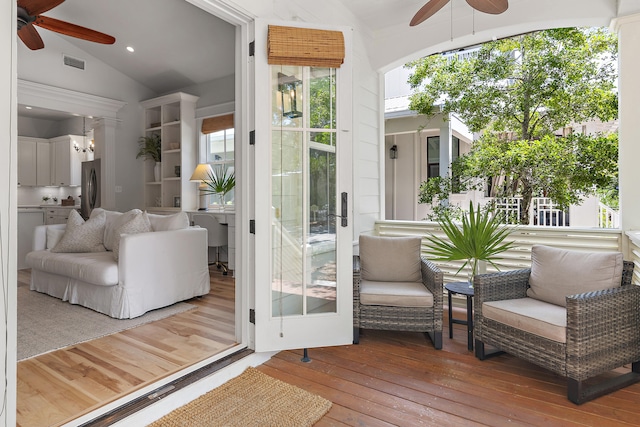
(251, 399)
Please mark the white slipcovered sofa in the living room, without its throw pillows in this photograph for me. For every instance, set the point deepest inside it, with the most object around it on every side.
(153, 270)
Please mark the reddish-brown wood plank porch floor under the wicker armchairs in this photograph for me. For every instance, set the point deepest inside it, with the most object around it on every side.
(398, 379)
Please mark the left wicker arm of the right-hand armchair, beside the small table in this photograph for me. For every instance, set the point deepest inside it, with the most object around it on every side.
(501, 286)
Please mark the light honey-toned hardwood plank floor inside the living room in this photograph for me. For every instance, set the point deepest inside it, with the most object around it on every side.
(57, 387)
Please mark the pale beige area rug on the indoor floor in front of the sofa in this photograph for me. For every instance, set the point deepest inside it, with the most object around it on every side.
(46, 323)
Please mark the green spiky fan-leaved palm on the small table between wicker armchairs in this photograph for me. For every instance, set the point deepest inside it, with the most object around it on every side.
(479, 237)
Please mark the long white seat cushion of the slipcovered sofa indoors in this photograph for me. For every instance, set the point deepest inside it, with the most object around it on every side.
(98, 268)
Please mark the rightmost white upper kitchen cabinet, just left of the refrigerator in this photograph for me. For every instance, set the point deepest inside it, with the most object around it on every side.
(66, 161)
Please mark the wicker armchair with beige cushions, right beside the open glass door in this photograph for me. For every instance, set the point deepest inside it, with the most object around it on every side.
(402, 314)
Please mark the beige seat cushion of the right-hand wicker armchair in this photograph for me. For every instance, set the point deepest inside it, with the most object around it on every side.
(530, 315)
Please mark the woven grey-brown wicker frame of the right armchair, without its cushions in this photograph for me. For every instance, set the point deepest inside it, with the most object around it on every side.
(602, 332)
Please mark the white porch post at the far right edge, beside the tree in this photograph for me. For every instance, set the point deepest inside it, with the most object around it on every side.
(628, 30)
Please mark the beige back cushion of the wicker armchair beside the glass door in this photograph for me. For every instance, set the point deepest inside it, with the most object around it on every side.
(390, 259)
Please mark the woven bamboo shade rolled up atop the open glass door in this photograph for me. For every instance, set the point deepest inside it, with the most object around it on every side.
(304, 46)
